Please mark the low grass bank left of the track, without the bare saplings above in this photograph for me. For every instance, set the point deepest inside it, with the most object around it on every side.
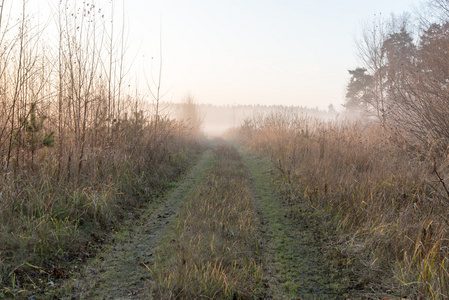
(45, 223)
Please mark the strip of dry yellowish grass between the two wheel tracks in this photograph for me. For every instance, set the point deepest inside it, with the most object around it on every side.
(210, 253)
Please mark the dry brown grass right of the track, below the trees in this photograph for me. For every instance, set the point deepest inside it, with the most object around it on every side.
(387, 201)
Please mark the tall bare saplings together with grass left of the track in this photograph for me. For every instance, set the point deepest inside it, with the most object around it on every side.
(77, 149)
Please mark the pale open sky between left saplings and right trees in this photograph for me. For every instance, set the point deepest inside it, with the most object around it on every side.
(247, 51)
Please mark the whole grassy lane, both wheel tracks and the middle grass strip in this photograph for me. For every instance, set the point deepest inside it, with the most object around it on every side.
(223, 233)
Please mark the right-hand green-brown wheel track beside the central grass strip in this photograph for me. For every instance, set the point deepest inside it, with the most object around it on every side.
(298, 260)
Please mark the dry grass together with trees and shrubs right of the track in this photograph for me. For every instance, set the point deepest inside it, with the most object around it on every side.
(383, 176)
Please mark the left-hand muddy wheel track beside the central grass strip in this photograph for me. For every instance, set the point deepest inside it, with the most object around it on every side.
(119, 271)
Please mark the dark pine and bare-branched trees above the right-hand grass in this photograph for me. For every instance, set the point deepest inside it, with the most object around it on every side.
(403, 77)
